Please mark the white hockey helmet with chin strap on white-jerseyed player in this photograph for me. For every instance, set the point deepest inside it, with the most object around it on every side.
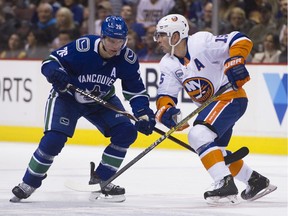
(170, 24)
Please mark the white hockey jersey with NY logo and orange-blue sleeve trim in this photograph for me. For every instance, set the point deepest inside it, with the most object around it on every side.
(201, 72)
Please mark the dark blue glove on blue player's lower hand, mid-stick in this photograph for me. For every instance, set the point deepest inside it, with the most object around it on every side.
(146, 121)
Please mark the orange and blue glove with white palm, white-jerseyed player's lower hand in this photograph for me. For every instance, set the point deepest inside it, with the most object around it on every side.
(170, 116)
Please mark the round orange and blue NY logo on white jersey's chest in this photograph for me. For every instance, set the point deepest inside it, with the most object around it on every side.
(199, 89)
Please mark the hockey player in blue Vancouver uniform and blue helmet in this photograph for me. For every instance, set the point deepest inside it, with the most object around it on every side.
(92, 63)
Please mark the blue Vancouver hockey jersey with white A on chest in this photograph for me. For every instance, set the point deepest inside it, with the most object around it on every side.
(89, 71)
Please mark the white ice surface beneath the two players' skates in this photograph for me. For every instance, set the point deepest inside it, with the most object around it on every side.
(162, 183)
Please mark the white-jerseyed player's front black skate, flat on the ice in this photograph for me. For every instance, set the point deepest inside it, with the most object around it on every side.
(224, 192)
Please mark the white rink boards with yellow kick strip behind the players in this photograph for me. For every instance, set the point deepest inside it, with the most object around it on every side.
(23, 92)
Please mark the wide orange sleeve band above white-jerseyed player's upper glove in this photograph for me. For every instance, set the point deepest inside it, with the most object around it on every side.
(241, 48)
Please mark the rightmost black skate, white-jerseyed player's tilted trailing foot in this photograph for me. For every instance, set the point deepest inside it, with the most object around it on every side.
(258, 186)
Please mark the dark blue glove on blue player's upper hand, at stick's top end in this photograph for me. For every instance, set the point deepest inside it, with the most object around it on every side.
(59, 79)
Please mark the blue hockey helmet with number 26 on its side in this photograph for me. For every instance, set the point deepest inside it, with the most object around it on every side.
(114, 27)
